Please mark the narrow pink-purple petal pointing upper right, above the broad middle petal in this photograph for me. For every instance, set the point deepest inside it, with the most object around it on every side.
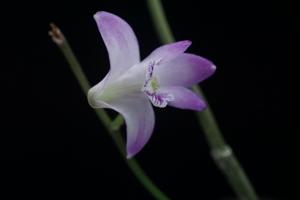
(167, 52)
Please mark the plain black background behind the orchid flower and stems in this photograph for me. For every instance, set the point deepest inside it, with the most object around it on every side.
(52, 144)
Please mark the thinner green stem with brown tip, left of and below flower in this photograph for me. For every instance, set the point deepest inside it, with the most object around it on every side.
(111, 126)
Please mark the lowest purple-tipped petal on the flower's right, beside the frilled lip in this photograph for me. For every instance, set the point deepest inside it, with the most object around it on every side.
(184, 98)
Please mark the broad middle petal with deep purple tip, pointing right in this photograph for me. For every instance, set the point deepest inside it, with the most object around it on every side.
(184, 70)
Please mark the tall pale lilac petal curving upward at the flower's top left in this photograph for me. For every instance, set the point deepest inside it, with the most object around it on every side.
(120, 41)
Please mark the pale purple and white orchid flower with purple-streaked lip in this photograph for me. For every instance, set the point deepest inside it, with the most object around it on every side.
(132, 85)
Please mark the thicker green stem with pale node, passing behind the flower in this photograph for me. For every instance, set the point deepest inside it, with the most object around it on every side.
(220, 150)
